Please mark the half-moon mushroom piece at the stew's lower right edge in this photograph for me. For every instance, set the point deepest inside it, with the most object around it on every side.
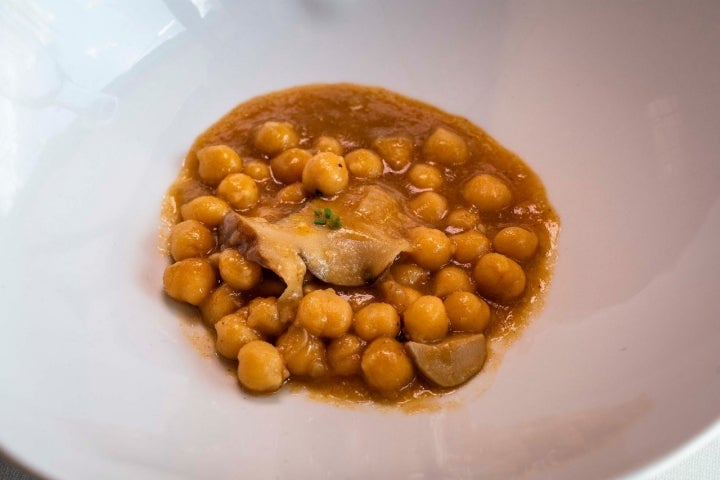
(450, 362)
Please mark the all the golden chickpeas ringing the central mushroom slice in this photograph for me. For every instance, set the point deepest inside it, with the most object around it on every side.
(441, 286)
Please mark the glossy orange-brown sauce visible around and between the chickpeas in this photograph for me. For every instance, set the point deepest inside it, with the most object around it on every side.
(357, 117)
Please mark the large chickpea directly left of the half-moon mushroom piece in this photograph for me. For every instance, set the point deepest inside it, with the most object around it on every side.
(386, 366)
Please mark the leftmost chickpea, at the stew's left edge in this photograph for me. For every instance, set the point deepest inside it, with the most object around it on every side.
(189, 280)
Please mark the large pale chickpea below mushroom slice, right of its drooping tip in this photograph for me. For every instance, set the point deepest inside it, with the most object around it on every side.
(324, 313)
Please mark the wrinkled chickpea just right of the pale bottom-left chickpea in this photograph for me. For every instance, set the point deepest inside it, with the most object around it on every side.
(304, 354)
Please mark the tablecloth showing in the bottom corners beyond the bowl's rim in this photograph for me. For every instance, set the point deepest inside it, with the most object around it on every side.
(702, 464)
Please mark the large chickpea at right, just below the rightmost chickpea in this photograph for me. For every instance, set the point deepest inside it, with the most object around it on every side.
(499, 277)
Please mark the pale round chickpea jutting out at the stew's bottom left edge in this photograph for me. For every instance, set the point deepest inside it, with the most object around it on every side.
(261, 367)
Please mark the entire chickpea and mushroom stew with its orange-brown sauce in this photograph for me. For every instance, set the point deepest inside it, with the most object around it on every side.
(357, 242)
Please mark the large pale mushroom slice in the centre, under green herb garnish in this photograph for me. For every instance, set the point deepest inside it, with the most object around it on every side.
(355, 253)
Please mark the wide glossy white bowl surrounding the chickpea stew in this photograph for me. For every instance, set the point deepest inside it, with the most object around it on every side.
(615, 104)
